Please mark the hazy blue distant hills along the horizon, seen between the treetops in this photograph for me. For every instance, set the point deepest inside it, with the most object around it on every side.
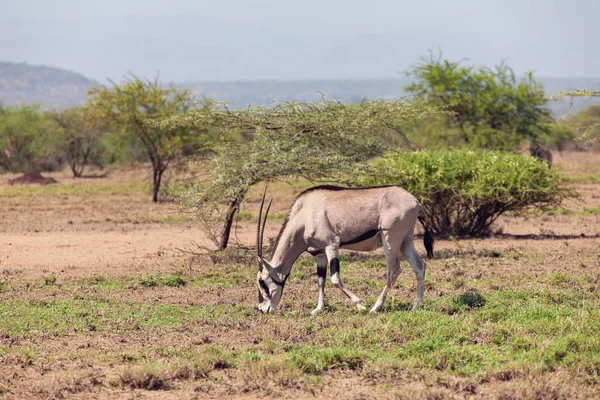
(54, 87)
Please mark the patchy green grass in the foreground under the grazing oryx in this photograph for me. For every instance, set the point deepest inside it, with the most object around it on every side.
(496, 327)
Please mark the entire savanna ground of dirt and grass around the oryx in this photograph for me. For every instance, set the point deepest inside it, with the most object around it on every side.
(98, 300)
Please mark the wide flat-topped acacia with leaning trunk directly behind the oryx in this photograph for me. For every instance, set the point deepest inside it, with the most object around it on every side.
(312, 140)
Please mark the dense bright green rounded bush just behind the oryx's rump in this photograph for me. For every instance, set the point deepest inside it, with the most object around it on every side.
(464, 191)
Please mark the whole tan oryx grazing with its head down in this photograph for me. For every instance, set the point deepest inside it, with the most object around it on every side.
(324, 219)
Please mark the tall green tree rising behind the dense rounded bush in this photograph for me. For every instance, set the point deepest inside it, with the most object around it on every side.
(491, 108)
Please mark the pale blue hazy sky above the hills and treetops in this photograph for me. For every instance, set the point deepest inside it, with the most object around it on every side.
(554, 37)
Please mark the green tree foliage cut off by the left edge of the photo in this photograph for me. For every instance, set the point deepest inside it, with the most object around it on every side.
(23, 134)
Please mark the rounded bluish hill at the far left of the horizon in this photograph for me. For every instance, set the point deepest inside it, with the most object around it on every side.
(22, 83)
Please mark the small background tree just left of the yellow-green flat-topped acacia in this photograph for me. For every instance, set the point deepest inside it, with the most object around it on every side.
(78, 137)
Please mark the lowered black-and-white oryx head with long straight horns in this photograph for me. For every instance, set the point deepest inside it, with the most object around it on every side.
(270, 288)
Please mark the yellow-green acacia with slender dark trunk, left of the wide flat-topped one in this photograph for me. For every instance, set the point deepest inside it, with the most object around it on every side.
(134, 102)
